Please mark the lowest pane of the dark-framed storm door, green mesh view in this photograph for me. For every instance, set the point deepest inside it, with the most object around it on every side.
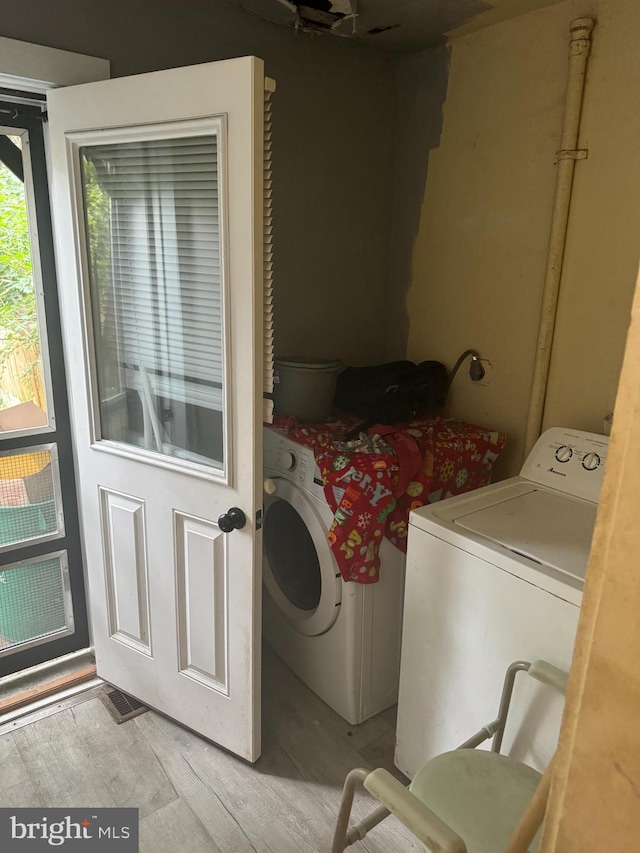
(34, 601)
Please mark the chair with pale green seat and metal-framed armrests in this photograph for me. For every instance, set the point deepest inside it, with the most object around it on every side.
(465, 801)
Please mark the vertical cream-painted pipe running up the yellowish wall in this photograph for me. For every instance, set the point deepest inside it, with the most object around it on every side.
(578, 55)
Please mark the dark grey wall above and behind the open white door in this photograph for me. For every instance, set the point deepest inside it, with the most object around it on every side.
(333, 143)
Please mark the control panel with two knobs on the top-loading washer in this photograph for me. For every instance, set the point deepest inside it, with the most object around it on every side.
(571, 461)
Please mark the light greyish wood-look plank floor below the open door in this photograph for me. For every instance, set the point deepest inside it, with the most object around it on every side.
(194, 797)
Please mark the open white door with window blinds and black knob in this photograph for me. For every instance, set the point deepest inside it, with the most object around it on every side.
(158, 190)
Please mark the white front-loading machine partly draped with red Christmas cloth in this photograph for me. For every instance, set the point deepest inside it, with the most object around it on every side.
(342, 639)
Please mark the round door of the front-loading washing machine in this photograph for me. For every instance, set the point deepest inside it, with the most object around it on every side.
(298, 568)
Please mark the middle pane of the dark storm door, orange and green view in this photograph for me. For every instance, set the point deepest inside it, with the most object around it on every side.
(30, 508)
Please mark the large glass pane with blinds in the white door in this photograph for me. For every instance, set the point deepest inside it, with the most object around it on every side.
(153, 232)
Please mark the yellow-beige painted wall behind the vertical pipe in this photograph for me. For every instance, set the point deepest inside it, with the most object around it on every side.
(479, 257)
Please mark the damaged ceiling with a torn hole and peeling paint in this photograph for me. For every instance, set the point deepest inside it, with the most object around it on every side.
(403, 25)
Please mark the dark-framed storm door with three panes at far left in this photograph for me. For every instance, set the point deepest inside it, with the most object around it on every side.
(42, 604)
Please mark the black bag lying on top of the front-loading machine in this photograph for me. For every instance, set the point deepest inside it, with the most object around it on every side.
(392, 393)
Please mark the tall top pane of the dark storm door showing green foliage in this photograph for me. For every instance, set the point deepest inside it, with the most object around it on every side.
(23, 403)
